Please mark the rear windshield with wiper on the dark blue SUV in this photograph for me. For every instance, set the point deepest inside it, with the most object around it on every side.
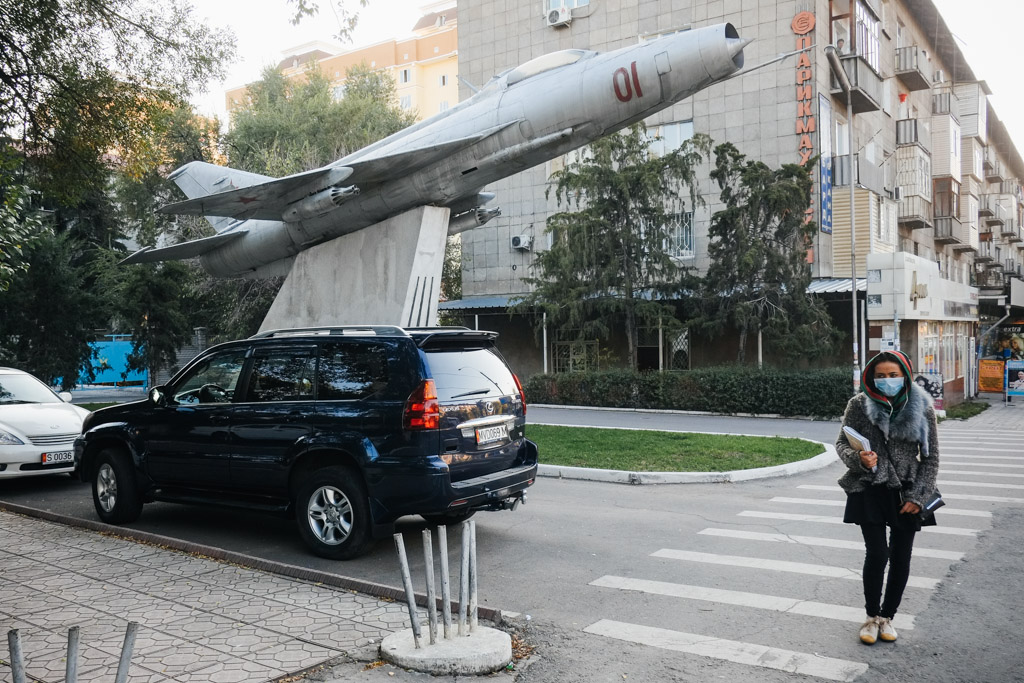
(465, 373)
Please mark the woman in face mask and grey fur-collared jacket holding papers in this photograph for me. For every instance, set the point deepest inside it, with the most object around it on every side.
(887, 486)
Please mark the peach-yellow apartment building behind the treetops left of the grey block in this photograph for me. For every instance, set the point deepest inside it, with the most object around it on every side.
(424, 65)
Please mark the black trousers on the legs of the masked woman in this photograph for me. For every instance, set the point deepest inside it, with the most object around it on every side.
(898, 554)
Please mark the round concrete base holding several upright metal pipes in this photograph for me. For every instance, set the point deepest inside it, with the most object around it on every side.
(484, 652)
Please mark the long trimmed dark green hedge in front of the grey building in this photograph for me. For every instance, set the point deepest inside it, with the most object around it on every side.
(821, 394)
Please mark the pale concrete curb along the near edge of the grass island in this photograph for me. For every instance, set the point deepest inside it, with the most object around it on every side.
(619, 477)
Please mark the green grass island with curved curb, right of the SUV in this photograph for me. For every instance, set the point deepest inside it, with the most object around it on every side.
(664, 452)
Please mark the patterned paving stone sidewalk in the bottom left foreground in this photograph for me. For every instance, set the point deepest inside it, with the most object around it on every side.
(200, 620)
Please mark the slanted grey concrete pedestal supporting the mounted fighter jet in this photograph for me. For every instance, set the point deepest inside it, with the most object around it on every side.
(389, 274)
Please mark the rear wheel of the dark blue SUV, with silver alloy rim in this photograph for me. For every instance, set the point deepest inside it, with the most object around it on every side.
(333, 514)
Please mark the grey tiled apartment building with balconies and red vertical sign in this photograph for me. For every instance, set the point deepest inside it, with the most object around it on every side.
(936, 197)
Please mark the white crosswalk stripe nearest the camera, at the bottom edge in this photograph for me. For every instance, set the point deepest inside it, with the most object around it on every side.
(736, 652)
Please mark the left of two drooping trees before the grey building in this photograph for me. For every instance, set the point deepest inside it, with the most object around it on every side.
(610, 262)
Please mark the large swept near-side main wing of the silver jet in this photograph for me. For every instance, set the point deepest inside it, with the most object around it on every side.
(265, 200)
